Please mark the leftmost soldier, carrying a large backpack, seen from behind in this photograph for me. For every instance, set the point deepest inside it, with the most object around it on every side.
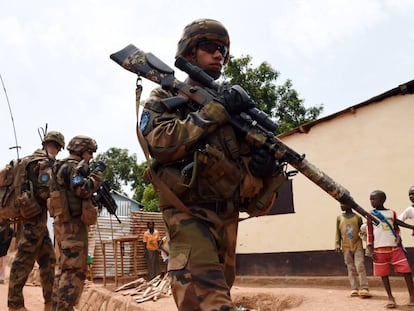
(34, 242)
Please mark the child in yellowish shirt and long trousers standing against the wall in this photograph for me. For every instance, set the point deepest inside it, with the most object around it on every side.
(348, 240)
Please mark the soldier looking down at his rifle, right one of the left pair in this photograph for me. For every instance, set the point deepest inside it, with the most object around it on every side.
(72, 208)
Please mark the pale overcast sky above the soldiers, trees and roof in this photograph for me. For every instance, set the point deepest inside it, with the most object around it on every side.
(54, 57)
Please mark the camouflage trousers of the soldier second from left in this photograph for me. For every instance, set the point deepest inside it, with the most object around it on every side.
(72, 240)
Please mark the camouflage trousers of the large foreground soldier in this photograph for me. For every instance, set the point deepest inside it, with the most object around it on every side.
(202, 256)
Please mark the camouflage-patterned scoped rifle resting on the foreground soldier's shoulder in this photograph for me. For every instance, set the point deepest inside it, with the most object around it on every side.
(257, 128)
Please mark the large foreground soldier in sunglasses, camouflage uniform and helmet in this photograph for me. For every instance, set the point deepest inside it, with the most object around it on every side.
(212, 170)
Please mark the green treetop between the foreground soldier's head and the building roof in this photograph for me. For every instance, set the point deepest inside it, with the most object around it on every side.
(280, 102)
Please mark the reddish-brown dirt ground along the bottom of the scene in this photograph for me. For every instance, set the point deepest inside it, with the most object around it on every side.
(267, 294)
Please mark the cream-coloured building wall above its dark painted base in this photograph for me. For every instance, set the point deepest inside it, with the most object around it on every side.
(371, 148)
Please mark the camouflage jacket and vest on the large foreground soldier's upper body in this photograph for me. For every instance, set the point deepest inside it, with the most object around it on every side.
(198, 154)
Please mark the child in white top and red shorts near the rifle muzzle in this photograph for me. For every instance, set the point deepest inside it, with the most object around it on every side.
(384, 243)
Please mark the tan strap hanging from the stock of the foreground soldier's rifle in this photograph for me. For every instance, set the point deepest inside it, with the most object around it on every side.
(153, 176)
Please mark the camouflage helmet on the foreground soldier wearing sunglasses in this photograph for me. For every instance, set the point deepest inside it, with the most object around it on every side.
(199, 30)
